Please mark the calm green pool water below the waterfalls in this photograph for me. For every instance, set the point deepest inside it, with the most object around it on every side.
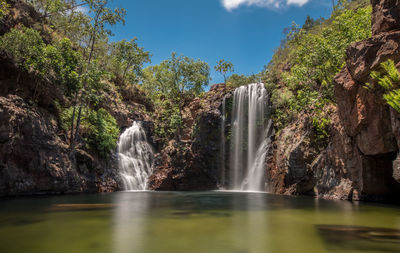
(195, 222)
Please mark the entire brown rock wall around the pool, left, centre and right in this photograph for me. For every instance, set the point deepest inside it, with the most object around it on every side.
(360, 161)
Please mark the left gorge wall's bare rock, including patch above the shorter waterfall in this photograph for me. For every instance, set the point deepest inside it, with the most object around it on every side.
(34, 151)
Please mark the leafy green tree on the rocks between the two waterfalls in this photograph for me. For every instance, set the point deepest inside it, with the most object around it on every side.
(168, 84)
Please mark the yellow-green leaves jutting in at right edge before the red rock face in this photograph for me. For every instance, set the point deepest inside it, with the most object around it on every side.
(389, 81)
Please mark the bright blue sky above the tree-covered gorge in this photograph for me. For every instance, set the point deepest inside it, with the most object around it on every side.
(245, 32)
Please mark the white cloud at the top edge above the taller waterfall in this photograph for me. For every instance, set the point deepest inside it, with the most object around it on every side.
(233, 4)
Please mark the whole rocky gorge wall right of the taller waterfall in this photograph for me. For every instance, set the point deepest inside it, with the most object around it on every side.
(361, 160)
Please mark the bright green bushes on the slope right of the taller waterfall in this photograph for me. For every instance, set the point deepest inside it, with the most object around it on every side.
(304, 66)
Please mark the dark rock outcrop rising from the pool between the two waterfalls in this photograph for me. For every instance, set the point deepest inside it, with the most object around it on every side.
(194, 162)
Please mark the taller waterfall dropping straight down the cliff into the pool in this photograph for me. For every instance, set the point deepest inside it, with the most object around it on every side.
(249, 140)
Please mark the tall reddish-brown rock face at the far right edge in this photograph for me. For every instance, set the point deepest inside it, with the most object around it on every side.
(368, 121)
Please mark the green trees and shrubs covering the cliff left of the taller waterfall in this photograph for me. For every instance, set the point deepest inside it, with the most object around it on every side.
(70, 49)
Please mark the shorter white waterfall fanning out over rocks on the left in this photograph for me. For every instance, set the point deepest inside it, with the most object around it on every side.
(135, 158)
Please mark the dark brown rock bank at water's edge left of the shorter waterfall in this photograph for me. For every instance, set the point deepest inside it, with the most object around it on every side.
(34, 160)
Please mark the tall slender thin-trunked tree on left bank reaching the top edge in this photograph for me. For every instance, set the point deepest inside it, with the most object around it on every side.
(102, 17)
